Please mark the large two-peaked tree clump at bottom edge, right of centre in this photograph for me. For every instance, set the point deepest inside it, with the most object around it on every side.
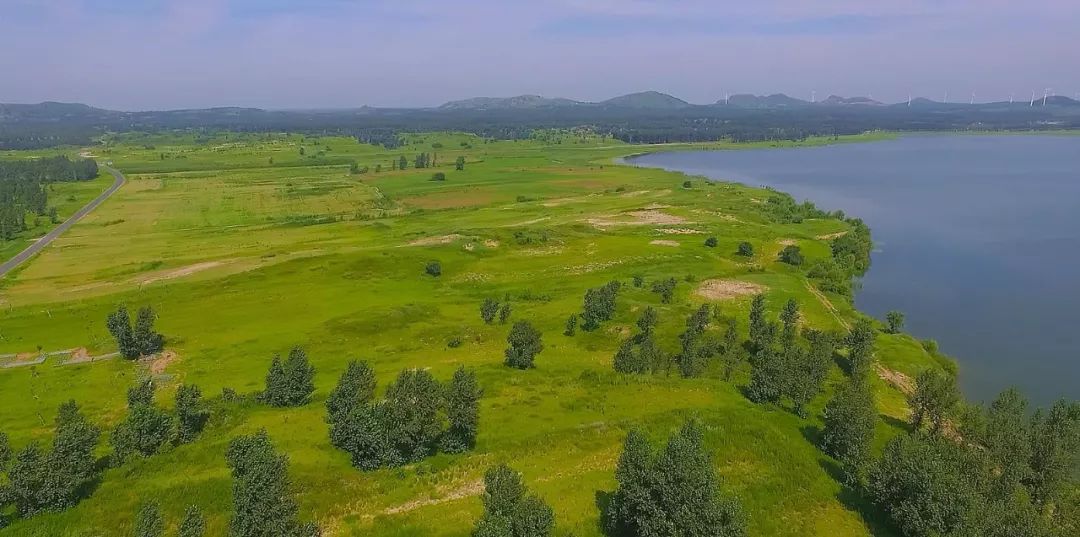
(674, 492)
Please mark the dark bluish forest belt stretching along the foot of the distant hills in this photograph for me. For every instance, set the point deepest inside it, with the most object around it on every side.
(24, 127)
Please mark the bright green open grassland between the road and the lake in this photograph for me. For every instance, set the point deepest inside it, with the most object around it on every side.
(244, 259)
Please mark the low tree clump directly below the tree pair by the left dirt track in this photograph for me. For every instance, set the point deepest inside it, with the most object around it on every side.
(147, 428)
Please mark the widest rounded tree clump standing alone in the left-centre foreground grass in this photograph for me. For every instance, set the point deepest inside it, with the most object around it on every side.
(418, 418)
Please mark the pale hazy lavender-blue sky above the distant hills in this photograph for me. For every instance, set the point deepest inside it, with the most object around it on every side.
(154, 55)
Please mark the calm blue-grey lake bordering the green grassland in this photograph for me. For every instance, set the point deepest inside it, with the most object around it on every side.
(977, 240)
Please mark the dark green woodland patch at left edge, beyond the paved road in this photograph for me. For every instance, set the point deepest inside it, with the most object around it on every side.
(23, 189)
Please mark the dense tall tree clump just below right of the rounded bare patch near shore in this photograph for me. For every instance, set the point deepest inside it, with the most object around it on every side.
(781, 367)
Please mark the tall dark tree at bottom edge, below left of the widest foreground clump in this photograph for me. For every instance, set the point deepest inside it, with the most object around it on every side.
(262, 506)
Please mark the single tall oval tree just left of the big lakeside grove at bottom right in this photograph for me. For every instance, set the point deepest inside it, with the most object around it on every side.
(849, 428)
